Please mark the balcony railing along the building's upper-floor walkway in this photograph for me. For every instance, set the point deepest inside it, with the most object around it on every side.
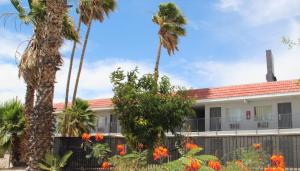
(218, 124)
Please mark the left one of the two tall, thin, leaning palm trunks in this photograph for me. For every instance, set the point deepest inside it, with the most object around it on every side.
(71, 66)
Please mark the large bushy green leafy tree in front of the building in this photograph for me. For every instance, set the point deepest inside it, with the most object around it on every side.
(147, 109)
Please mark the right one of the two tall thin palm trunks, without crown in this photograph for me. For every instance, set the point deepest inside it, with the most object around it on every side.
(82, 56)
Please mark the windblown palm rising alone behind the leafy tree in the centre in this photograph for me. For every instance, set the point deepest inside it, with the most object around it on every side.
(171, 25)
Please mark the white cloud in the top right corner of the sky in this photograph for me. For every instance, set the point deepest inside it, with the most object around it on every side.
(259, 12)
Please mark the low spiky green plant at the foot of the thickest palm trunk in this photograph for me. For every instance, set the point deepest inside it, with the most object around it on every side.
(53, 162)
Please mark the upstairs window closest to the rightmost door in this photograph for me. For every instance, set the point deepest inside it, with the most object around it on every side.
(263, 113)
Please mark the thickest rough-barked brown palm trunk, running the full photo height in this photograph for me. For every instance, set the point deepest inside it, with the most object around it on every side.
(42, 122)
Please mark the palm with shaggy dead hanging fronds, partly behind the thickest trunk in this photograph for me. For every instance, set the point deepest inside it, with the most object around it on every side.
(28, 66)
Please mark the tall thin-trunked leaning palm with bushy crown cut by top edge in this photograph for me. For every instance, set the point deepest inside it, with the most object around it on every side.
(91, 10)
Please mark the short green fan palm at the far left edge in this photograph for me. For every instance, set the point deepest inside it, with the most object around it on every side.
(11, 130)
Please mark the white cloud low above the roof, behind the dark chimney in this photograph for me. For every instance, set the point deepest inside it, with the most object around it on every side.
(253, 69)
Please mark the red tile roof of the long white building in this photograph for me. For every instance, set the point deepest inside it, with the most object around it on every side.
(266, 88)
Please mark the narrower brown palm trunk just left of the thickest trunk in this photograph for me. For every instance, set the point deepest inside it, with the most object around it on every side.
(29, 104)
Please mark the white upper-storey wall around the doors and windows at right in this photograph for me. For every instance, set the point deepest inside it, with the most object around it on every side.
(248, 105)
